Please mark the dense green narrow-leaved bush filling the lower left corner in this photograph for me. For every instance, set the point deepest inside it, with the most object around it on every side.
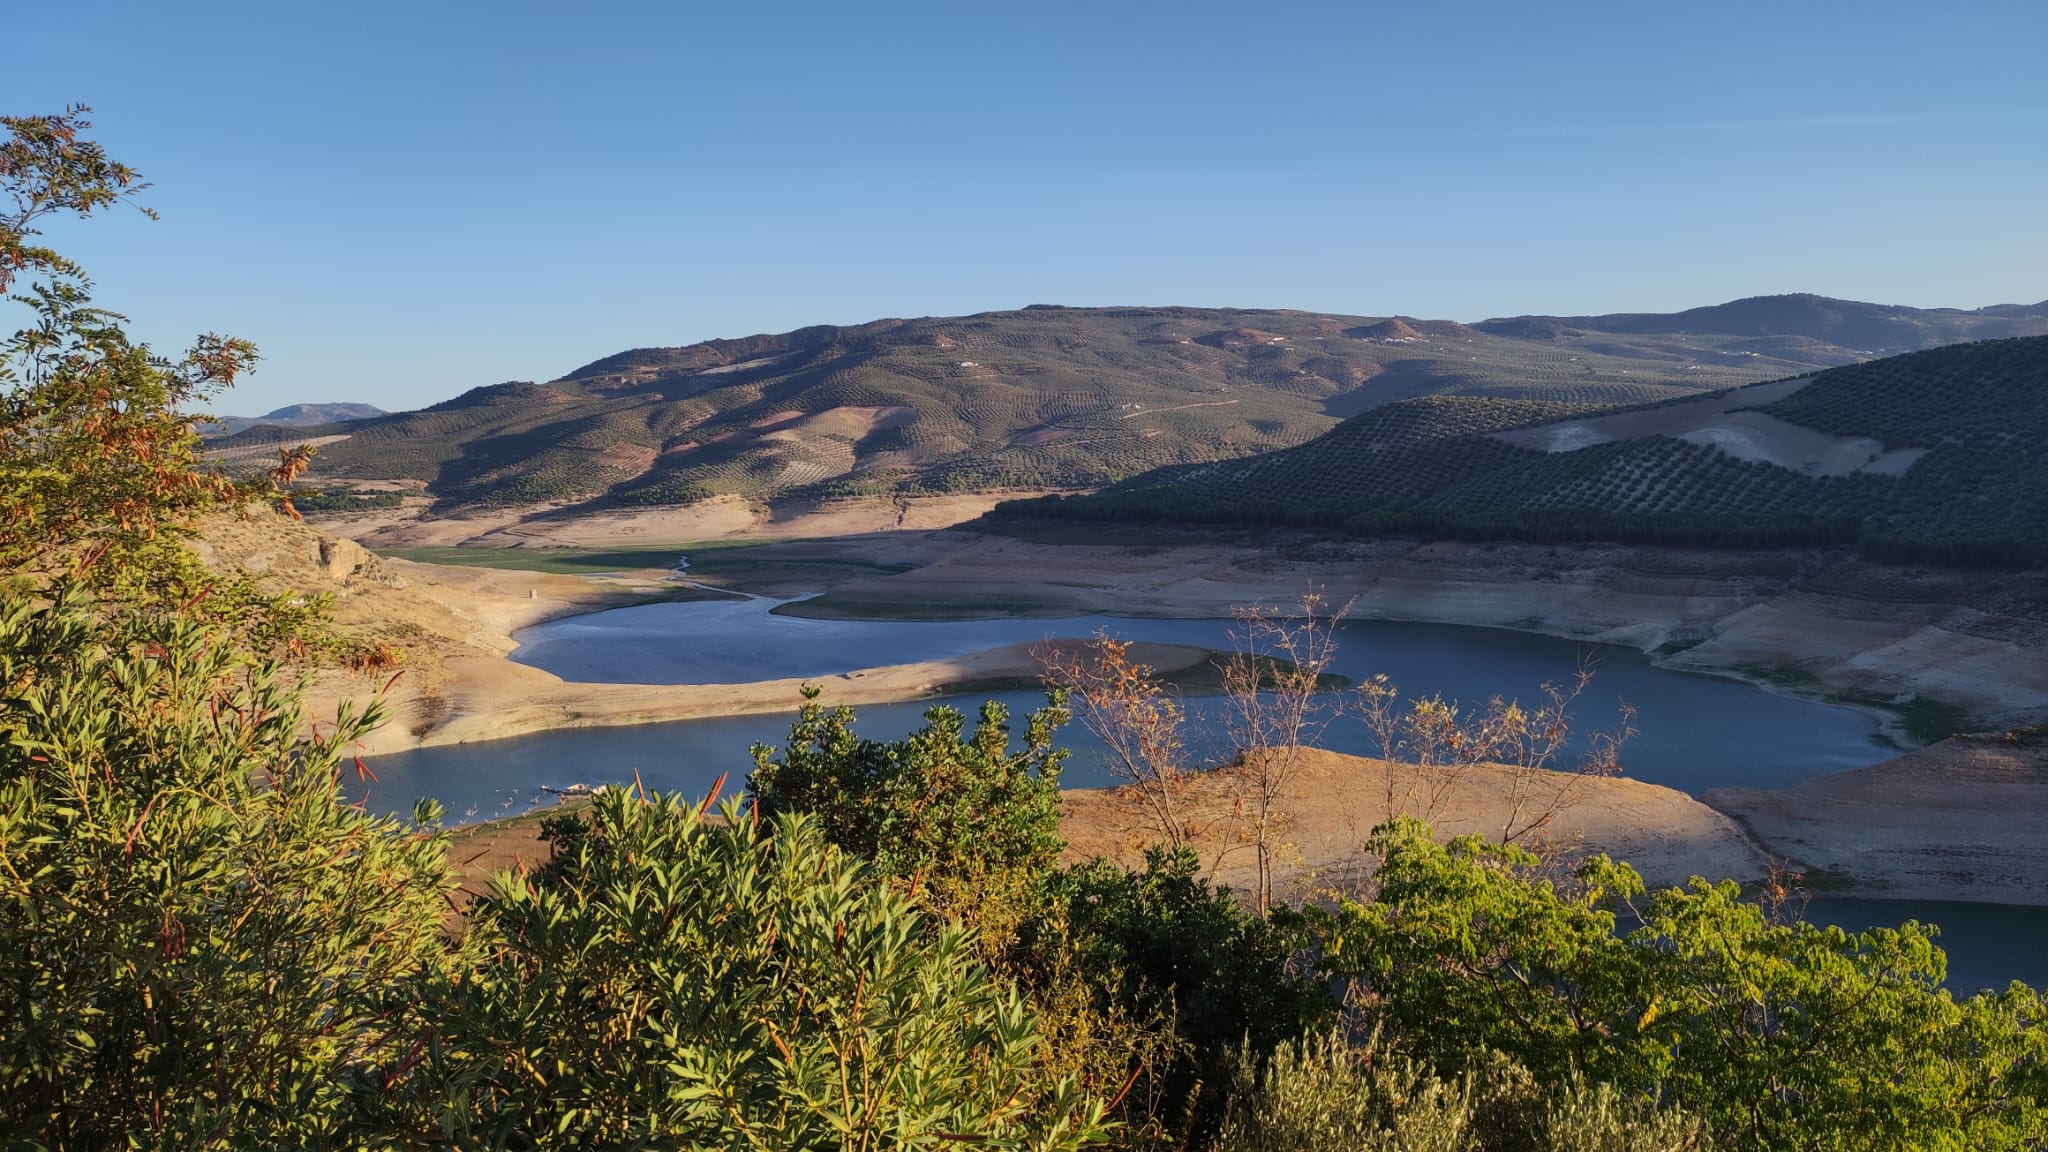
(198, 936)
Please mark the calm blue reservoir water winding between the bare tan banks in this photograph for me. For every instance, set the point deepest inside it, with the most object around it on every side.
(1697, 733)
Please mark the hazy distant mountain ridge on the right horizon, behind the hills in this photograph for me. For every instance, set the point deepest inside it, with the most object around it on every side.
(1846, 325)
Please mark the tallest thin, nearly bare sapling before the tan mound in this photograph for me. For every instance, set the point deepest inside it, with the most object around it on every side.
(1273, 684)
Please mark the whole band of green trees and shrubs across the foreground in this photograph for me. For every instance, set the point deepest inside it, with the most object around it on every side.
(202, 946)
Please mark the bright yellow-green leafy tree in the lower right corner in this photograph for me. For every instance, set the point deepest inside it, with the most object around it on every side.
(1781, 1036)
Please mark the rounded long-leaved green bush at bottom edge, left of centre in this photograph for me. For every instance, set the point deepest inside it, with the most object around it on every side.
(732, 983)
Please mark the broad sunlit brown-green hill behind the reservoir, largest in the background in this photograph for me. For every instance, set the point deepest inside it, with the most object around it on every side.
(1037, 399)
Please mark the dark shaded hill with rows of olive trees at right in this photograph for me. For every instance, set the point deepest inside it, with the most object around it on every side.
(1928, 458)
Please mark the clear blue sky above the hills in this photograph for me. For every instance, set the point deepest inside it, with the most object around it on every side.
(400, 202)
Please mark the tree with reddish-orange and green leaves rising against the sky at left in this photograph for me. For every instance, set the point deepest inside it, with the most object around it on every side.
(101, 475)
